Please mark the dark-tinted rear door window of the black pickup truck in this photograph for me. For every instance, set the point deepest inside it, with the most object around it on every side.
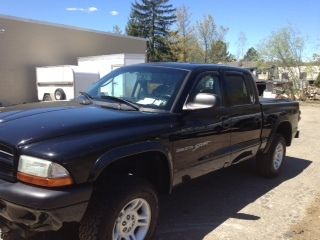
(237, 90)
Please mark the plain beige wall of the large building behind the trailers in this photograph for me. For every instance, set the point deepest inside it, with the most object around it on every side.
(25, 45)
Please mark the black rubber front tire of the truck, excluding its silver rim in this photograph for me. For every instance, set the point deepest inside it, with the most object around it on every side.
(107, 203)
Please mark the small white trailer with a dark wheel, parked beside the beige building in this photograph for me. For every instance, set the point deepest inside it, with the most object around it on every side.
(56, 83)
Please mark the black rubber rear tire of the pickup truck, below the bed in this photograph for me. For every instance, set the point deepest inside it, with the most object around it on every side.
(265, 162)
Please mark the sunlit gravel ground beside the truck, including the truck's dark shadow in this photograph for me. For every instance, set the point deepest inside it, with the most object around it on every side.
(235, 203)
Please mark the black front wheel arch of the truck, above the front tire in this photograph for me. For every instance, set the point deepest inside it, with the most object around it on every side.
(148, 160)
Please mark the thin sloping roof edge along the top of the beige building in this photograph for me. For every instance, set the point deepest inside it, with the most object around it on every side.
(66, 27)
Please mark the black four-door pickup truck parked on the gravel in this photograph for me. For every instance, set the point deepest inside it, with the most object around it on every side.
(102, 160)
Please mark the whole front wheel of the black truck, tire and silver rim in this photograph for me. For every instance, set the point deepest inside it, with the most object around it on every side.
(126, 211)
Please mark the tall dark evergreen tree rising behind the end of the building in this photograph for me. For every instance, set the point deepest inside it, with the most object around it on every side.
(151, 19)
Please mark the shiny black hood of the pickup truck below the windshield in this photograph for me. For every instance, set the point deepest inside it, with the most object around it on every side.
(29, 123)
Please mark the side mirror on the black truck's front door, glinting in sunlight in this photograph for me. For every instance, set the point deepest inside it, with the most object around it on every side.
(202, 101)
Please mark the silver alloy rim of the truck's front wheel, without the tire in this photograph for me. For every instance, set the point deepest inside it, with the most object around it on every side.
(133, 221)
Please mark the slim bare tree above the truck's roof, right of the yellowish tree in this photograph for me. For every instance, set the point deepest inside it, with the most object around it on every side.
(206, 31)
